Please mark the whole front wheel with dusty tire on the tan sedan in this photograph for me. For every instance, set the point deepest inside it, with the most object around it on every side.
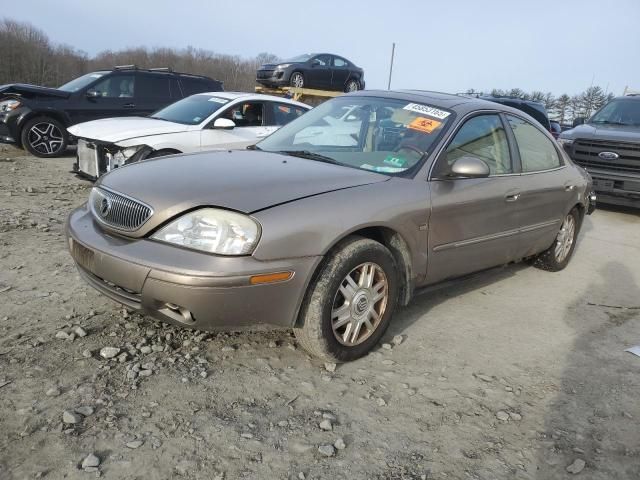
(359, 278)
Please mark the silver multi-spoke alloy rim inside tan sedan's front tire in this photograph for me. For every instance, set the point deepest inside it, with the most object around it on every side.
(359, 304)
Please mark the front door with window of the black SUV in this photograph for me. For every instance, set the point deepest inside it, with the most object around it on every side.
(114, 97)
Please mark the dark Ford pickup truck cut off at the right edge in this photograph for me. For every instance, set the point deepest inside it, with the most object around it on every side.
(608, 146)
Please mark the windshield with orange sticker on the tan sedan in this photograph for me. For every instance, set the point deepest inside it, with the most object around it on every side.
(379, 134)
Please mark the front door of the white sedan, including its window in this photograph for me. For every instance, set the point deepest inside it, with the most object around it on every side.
(249, 118)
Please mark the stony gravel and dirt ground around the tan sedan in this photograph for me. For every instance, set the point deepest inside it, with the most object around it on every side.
(515, 373)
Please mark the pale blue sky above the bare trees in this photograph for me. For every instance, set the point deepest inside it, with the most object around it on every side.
(561, 46)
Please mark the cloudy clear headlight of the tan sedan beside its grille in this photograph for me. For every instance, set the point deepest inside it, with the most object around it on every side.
(212, 230)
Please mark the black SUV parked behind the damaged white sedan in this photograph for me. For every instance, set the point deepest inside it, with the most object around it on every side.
(36, 118)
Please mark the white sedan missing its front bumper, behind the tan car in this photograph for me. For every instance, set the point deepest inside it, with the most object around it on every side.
(206, 121)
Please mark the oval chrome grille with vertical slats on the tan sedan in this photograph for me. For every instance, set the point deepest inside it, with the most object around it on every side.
(118, 211)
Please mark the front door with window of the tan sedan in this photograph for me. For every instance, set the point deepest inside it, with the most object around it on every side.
(474, 221)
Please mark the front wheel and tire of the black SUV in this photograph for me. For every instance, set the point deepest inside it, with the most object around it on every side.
(44, 137)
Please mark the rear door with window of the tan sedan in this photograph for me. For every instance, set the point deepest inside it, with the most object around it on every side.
(546, 185)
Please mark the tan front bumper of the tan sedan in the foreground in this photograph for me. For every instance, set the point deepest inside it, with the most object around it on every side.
(185, 287)
